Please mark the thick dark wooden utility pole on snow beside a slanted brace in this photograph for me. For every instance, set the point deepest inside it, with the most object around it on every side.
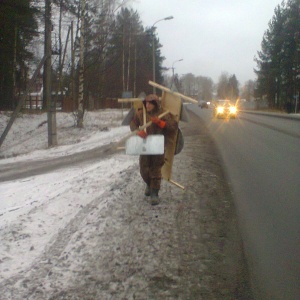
(51, 110)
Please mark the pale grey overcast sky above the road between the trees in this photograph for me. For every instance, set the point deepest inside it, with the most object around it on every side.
(211, 36)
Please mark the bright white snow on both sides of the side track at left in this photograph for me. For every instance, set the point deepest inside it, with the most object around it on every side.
(52, 200)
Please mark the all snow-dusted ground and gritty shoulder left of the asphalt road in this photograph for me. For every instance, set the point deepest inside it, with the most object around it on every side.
(86, 230)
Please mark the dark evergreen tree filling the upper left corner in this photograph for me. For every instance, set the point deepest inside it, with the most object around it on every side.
(17, 28)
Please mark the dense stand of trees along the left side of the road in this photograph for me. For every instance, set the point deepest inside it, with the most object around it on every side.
(117, 48)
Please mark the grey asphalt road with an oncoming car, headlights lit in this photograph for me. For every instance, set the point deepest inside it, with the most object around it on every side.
(261, 155)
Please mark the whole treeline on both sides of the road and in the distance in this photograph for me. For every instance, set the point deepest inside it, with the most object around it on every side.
(113, 54)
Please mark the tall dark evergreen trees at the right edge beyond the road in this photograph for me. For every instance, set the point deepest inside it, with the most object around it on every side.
(277, 62)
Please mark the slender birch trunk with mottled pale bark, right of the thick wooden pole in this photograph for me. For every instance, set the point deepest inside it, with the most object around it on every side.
(81, 70)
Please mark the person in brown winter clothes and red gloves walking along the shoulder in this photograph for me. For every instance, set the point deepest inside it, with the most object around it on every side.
(151, 165)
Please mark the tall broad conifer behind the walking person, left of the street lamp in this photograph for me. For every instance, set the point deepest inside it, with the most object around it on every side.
(128, 56)
